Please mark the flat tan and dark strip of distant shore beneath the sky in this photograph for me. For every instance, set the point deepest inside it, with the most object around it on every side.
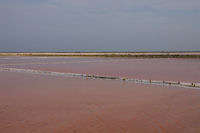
(110, 54)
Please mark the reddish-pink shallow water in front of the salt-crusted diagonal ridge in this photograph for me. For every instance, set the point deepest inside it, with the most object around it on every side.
(38, 103)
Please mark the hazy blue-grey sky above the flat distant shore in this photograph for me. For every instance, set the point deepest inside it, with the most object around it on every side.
(99, 25)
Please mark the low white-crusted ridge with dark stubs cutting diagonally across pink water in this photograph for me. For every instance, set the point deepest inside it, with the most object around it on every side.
(142, 81)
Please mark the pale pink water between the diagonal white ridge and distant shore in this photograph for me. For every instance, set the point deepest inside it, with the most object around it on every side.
(185, 70)
